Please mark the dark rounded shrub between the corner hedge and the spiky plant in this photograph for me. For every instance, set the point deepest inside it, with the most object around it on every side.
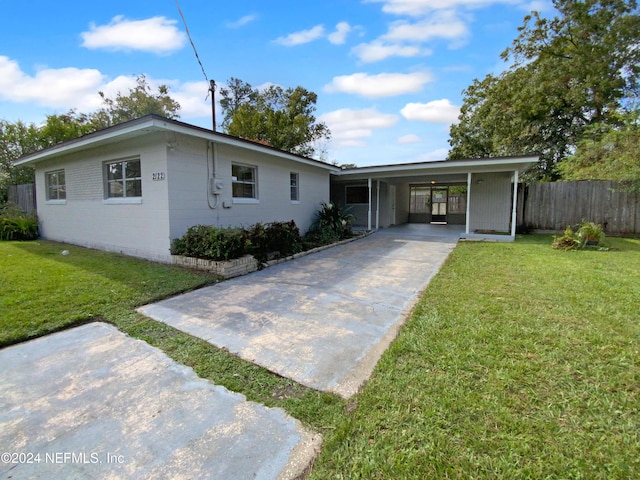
(275, 239)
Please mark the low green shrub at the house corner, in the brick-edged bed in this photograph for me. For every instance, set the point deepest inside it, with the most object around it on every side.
(211, 243)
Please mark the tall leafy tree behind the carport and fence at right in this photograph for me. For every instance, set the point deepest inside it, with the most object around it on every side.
(569, 72)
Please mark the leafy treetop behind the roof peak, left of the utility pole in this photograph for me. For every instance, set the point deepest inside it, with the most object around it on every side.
(139, 102)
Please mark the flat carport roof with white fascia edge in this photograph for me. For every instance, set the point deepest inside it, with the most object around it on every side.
(440, 171)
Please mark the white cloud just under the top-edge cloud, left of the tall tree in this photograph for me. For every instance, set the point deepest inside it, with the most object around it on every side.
(444, 25)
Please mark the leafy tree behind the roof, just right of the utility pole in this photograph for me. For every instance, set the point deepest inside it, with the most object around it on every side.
(282, 118)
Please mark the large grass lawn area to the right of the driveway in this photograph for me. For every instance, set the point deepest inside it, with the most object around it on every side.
(519, 362)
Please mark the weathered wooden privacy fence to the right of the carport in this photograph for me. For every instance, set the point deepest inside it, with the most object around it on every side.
(553, 206)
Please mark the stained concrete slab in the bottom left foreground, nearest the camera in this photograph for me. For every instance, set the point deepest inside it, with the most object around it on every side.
(91, 402)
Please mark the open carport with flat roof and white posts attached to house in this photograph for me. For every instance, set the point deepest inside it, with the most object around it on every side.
(478, 194)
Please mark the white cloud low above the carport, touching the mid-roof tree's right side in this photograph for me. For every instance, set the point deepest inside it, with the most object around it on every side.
(350, 127)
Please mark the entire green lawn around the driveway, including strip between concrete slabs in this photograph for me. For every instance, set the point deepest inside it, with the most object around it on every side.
(520, 361)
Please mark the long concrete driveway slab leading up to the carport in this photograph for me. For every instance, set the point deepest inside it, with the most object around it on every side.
(322, 320)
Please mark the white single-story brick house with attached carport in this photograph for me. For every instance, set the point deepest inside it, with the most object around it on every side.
(134, 187)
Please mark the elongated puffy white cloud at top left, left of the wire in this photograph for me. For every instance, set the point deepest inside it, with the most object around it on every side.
(157, 34)
